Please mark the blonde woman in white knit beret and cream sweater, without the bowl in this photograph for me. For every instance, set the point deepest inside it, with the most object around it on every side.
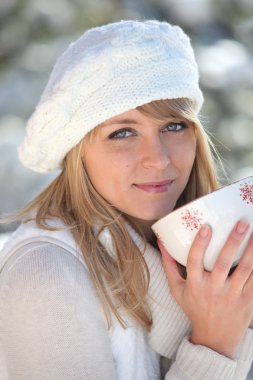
(84, 293)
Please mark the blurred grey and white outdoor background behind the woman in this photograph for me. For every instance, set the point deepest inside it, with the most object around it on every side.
(34, 32)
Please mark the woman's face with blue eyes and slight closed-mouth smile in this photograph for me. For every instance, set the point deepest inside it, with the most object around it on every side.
(141, 167)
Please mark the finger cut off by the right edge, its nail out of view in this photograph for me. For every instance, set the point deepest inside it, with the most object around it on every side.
(242, 278)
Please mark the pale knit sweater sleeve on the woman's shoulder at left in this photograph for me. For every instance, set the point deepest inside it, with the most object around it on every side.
(51, 325)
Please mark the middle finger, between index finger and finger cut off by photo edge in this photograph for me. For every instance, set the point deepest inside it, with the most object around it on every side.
(226, 258)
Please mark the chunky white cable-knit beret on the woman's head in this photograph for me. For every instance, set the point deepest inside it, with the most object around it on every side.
(107, 71)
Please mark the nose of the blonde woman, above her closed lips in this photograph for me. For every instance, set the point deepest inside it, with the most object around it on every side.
(155, 154)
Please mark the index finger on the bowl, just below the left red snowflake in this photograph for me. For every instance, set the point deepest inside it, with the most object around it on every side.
(195, 258)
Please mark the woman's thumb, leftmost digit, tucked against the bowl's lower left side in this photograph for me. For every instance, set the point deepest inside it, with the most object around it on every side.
(172, 271)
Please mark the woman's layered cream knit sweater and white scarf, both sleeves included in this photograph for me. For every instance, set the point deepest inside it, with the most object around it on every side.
(52, 326)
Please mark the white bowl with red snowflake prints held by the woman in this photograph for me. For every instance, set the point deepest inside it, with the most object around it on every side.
(220, 209)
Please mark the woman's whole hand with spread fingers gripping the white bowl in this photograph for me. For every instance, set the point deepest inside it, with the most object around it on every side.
(219, 306)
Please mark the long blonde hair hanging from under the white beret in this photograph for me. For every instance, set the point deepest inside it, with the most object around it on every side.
(121, 280)
